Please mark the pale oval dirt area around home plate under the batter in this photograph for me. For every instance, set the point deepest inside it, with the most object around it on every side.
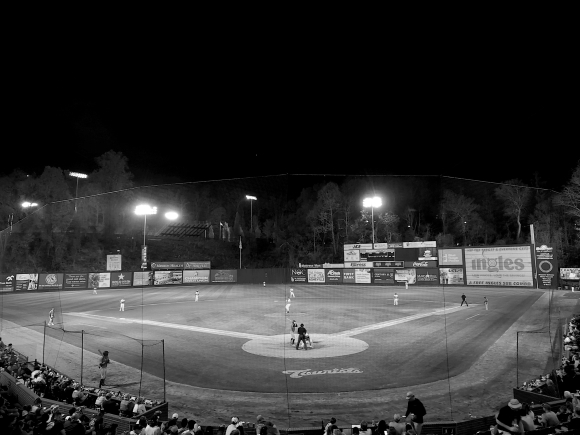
(324, 346)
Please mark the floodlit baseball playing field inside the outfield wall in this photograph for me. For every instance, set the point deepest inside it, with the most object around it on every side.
(230, 353)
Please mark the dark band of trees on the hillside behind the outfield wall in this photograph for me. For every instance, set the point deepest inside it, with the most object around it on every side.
(295, 219)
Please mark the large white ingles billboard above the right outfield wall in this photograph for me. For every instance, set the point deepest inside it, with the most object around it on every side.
(499, 265)
